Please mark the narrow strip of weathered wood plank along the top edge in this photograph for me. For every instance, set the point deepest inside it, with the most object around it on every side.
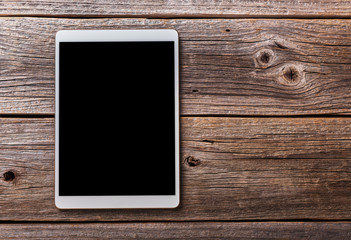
(173, 8)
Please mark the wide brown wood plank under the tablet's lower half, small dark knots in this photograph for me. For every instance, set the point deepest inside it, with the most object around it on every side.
(231, 169)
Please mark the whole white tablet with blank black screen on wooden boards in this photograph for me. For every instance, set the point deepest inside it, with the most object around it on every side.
(117, 119)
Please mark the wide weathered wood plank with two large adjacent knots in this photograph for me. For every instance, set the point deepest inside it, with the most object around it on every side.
(228, 66)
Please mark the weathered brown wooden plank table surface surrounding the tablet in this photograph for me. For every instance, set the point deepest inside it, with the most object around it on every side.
(265, 90)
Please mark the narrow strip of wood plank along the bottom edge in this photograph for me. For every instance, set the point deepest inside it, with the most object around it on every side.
(189, 230)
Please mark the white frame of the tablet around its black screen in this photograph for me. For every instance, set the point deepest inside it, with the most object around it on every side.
(94, 202)
